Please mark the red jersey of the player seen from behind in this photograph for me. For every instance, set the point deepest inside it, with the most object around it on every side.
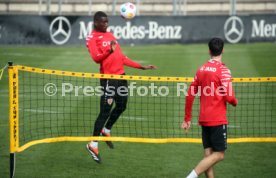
(213, 84)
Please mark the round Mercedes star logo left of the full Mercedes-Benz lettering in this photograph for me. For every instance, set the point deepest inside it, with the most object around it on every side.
(60, 30)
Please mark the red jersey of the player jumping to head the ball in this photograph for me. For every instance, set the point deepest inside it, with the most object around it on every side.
(98, 44)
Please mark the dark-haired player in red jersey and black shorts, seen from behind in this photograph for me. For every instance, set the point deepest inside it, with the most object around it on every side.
(213, 83)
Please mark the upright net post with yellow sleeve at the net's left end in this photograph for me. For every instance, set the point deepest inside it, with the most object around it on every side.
(12, 100)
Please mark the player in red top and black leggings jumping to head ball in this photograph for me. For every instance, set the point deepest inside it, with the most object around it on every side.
(105, 50)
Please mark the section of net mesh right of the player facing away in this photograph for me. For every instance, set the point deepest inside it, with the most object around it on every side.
(255, 115)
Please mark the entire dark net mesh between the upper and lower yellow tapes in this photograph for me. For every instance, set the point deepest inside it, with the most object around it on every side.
(55, 105)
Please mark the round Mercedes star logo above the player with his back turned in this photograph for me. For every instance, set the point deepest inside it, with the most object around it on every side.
(233, 29)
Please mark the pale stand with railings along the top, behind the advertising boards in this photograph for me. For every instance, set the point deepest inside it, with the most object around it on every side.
(144, 7)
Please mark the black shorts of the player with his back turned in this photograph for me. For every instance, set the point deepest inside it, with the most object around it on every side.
(215, 137)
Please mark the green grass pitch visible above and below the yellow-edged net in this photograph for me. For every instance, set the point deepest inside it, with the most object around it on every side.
(70, 159)
